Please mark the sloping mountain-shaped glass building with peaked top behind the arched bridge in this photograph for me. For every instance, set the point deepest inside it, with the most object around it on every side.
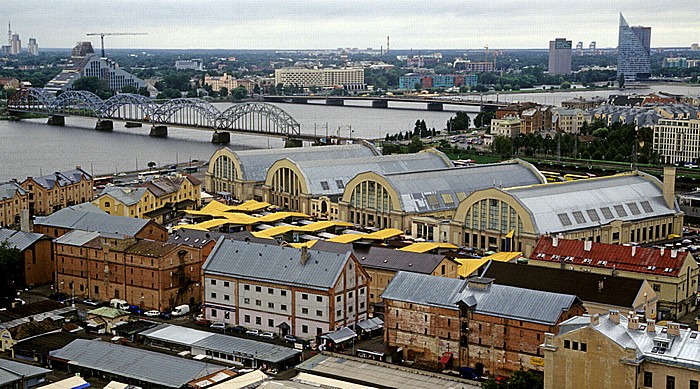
(85, 63)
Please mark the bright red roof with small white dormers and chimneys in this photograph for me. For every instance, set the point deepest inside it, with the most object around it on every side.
(664, 262)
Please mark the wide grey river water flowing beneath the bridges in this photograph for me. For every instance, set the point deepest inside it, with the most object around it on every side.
(32, 148)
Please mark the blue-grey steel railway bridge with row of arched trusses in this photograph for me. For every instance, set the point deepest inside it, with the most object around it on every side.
(256, 118)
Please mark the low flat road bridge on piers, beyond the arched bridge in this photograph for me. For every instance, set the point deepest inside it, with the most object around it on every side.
(431, 103)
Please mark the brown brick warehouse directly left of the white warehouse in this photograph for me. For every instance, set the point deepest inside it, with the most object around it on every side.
(149, 274)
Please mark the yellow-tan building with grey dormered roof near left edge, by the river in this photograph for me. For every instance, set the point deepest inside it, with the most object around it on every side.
(48, 194)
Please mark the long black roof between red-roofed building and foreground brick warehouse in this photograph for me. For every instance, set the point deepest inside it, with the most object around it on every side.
(598, 288)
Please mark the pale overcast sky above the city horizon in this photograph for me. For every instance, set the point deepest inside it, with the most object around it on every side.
(327, 24)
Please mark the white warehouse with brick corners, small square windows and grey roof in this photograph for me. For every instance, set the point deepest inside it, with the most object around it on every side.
(284, 290)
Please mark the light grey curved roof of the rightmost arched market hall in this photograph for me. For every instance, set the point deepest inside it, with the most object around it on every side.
(638, 195)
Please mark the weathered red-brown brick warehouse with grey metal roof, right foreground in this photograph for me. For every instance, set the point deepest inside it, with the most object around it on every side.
(444, 322)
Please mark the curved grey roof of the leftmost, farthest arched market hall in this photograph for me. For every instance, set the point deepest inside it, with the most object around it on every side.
(254, 163)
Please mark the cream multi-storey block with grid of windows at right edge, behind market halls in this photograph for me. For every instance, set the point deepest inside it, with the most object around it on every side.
(677, 140)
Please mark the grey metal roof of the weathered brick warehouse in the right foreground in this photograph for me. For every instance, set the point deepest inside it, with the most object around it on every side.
(496, 300)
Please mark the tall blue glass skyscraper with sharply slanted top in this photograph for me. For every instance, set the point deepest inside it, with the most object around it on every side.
(633, 52)
